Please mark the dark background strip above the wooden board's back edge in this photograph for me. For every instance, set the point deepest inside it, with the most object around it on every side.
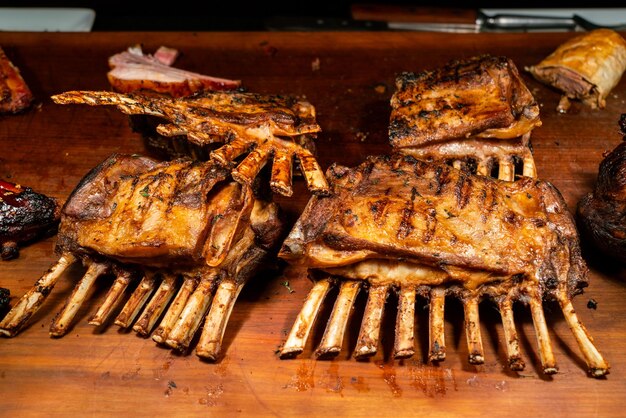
(256, 15)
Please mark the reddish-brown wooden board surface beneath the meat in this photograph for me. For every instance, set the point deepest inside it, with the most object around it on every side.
(349, 78)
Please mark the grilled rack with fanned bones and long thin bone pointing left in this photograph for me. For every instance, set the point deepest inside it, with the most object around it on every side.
(262, 126)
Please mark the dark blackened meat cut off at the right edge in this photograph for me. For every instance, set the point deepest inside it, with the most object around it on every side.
(602, 213)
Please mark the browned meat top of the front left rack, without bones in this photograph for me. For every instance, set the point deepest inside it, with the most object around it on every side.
(136, 210)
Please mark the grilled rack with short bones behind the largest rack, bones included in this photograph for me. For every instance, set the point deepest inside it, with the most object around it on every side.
(475, 112)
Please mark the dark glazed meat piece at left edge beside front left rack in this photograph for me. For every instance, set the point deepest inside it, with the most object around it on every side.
(25, 215)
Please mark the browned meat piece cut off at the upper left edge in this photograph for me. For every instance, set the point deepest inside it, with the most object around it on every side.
(15, 95)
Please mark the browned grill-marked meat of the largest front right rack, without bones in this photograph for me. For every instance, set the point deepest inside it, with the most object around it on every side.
(435, 215)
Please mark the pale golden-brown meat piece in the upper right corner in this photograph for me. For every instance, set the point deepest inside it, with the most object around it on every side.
(584, 68)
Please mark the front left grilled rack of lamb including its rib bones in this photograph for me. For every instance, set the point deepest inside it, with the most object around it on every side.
(185, 229)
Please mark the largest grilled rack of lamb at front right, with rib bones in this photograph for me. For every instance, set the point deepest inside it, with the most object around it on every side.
(399, 224)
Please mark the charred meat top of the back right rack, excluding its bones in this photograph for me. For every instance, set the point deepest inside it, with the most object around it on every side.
(481, 96)
